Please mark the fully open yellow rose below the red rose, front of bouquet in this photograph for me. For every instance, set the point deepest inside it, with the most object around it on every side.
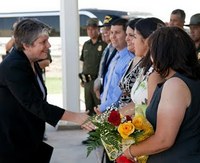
(125, 129)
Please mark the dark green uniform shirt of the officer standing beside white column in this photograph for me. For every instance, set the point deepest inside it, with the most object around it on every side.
(91, 56)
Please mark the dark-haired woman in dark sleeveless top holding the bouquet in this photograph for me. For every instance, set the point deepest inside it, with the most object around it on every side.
(174, 110)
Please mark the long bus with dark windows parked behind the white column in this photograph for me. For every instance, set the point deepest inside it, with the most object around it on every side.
(52, 18)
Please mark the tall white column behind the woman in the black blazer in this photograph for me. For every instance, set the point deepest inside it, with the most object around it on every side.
(69, 28)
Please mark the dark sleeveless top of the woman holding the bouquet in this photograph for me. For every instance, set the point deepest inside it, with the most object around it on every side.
(186, 148)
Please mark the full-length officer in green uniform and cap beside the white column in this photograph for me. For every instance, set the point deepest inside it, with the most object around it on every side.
(91, 56)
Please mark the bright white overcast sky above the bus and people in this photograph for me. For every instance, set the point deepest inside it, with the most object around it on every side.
(158, 8)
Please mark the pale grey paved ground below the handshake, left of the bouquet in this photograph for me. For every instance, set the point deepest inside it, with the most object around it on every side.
(68, 147)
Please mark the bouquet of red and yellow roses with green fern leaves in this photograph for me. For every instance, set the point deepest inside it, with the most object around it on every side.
(116, 132)
